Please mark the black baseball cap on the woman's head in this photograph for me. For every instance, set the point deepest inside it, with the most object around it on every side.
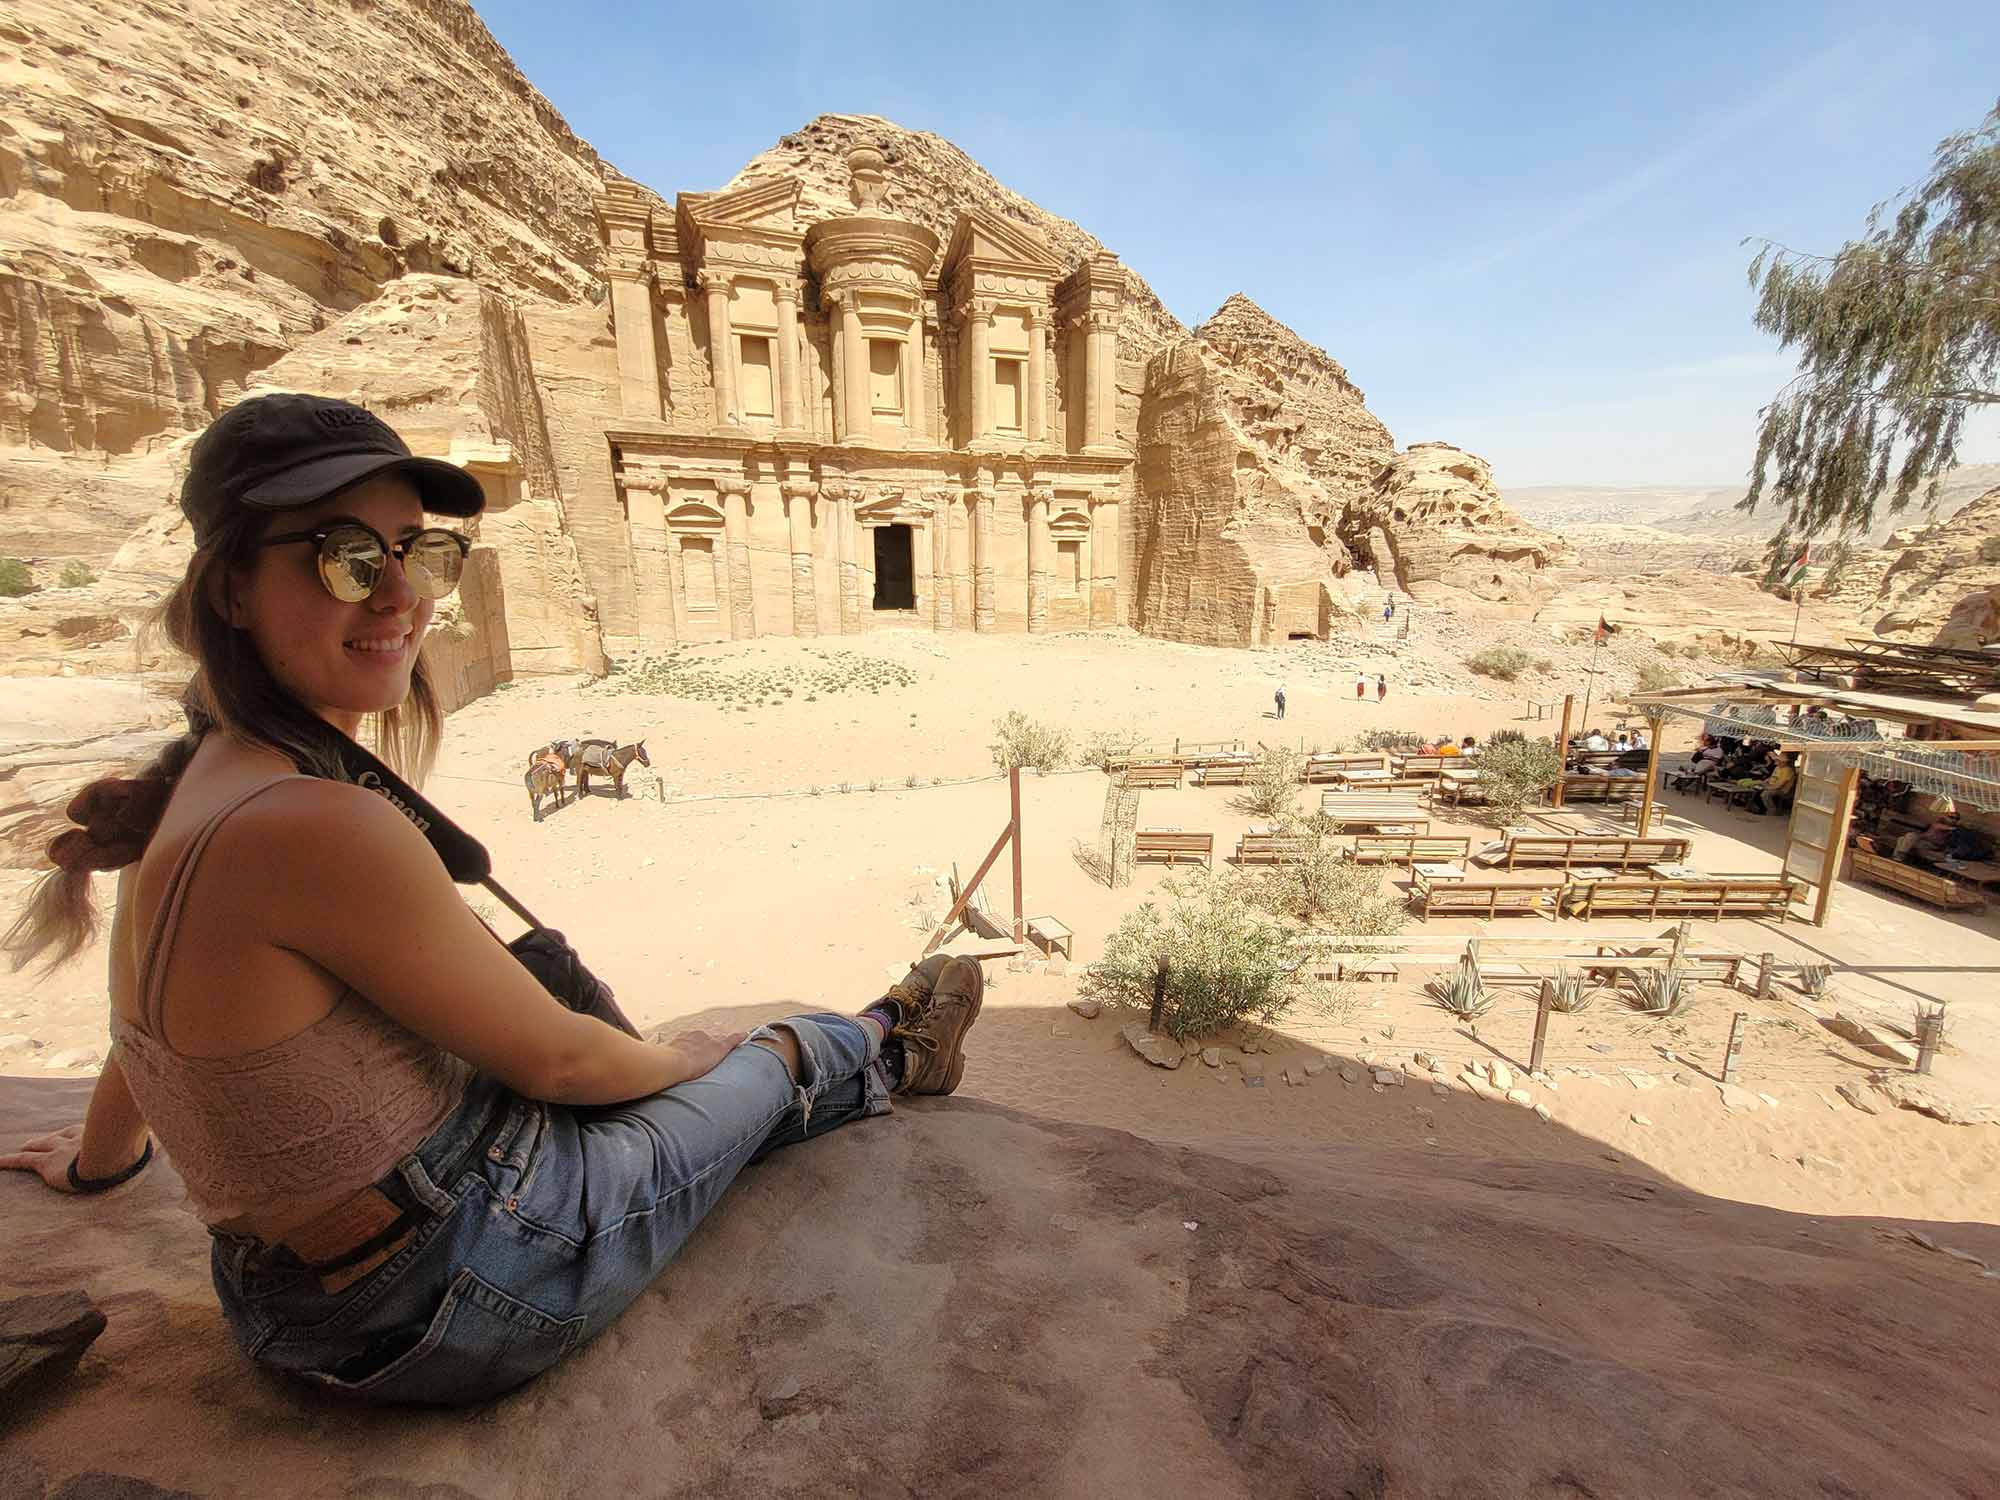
(281, 453)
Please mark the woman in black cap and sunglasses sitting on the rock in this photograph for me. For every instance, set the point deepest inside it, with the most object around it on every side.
(425, 1177)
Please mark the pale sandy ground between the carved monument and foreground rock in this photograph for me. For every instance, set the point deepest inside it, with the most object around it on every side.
(739, 881)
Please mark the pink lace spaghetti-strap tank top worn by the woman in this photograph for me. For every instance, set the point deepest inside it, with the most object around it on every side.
(271, 1139)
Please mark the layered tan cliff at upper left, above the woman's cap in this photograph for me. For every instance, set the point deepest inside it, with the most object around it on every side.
(189, 191)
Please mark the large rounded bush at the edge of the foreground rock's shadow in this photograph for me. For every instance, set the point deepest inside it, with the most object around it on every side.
(1227, 959)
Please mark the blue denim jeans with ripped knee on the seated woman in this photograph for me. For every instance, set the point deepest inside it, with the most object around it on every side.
(541, 1241)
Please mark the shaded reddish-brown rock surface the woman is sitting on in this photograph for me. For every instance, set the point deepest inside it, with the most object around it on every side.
(1335, 1323)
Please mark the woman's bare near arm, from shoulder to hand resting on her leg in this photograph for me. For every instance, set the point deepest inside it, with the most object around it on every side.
(339, 877)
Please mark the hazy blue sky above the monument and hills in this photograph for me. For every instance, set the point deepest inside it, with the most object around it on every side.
(1517, 227)
